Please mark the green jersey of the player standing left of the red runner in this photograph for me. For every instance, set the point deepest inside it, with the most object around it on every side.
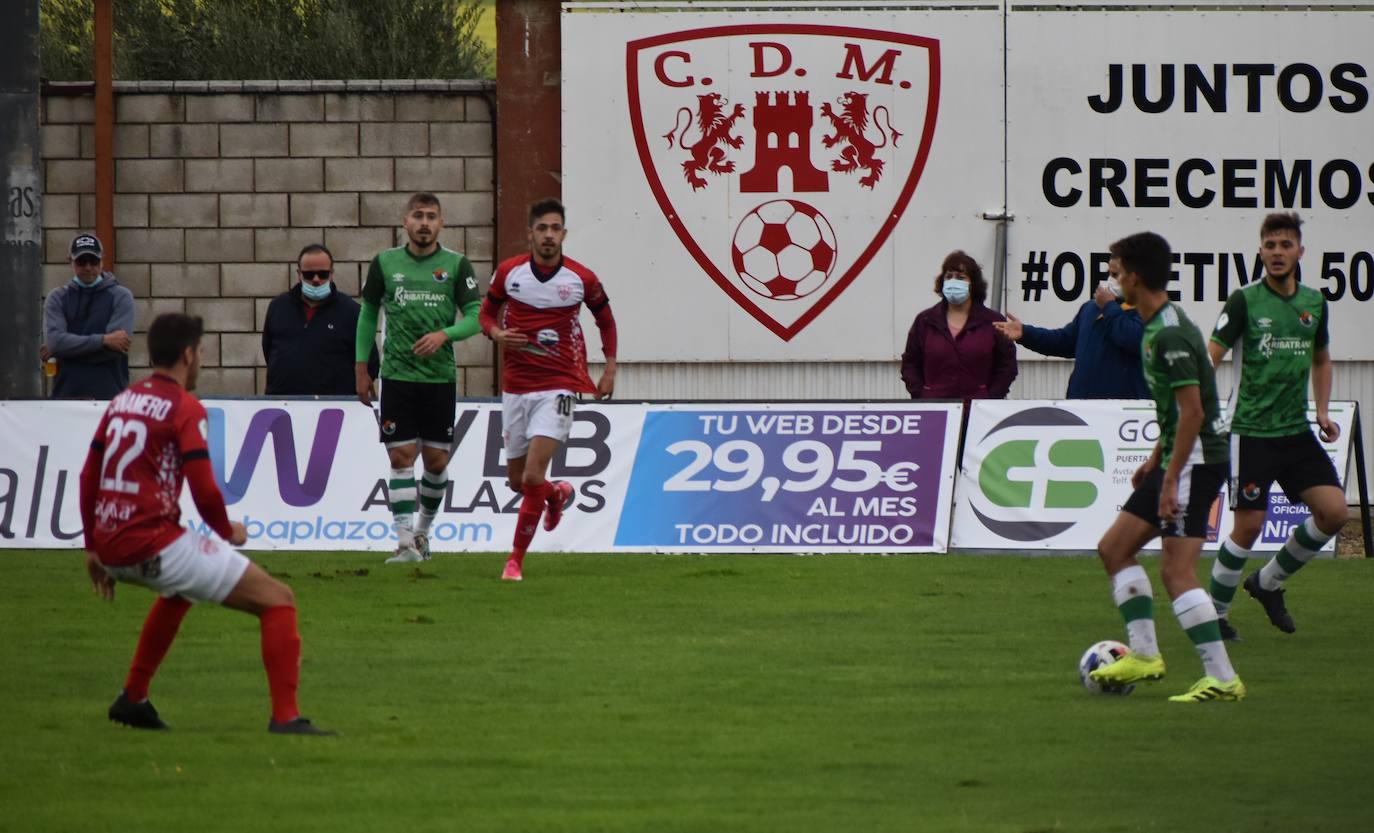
(418, 295)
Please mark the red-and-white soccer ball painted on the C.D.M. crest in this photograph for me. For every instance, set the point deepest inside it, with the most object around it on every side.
(784, 249)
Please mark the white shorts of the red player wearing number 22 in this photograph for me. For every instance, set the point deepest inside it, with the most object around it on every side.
(196, 567)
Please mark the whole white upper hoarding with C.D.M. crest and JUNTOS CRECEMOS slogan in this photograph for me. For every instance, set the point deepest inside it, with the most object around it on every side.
(798, 185)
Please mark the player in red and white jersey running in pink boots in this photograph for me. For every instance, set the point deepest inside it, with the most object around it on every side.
(532, 311)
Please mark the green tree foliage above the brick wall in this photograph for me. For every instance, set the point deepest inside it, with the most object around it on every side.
(189, 41)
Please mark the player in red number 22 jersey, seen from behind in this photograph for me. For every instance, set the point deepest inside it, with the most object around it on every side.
(150, 441)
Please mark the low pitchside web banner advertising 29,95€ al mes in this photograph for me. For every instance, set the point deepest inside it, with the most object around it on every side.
(697, 479)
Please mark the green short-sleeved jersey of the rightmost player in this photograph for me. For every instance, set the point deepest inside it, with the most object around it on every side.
(1279, 337)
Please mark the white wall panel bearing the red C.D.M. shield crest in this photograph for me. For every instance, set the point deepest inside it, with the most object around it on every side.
(795, 186)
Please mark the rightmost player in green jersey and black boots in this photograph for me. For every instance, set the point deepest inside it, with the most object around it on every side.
(1280, 331)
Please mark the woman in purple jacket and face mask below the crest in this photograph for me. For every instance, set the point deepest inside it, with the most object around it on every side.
(953, 350)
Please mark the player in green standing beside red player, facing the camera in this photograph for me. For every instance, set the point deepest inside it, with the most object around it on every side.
(431, 299)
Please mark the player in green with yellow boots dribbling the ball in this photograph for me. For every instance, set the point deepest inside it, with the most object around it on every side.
(1174, 490)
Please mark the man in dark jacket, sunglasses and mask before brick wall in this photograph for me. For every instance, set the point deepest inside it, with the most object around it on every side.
(310, 333)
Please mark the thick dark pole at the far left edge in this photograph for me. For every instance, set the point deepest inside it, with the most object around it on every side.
(21, 179)
